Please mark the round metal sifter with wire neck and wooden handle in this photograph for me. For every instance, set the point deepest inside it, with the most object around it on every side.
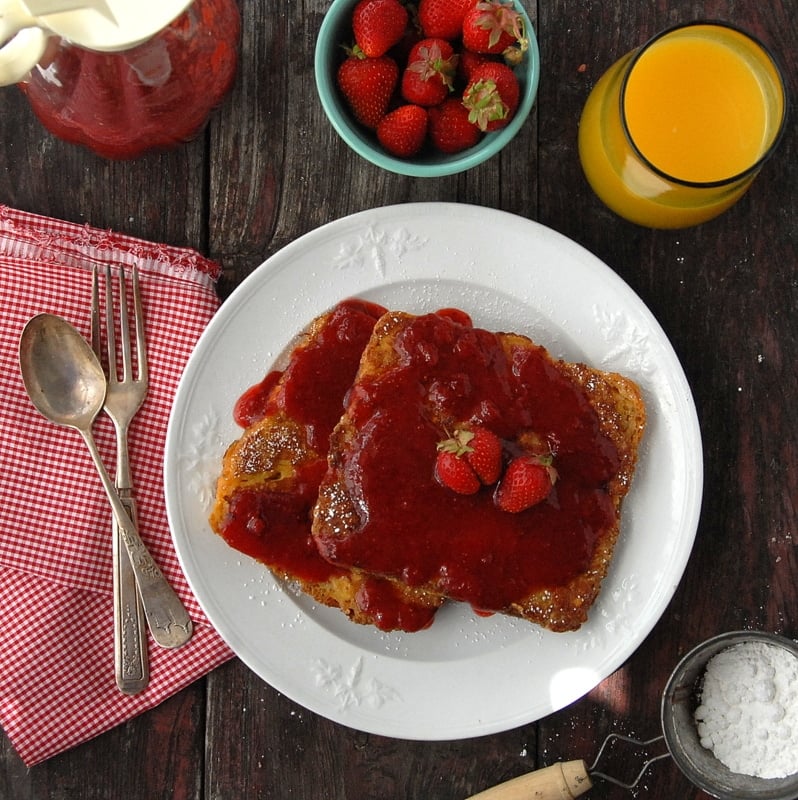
(569, 780)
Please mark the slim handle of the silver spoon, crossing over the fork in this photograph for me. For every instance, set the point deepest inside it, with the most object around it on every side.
(166, 616)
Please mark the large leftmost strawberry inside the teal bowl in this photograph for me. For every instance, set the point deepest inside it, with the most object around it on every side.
(368, 84)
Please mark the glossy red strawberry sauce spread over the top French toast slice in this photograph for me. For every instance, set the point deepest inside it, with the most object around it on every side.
(418, 530)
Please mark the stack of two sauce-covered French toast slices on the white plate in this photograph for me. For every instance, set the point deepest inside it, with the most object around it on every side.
(386, 541)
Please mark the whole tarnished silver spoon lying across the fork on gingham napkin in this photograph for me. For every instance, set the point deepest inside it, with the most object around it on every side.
(66, 383)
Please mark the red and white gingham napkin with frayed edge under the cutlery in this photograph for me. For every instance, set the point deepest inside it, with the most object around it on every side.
(57, 684)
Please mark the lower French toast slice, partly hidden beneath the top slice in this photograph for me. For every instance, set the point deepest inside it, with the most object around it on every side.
(270, 476)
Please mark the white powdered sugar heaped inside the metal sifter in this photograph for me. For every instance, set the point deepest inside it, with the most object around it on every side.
(748, 712)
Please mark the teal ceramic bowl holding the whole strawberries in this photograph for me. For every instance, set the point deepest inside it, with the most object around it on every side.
(336, 30)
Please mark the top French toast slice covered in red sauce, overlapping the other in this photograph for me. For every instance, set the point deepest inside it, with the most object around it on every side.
(382, 510)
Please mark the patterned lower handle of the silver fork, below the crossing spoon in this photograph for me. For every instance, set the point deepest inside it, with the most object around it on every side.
(130, 632)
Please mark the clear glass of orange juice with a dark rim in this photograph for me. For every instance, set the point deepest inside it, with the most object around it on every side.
(676, 131)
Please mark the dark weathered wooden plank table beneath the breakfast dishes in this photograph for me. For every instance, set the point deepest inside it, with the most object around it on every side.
(268, 169)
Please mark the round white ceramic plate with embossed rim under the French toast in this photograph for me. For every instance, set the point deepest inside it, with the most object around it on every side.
(465, 676)
